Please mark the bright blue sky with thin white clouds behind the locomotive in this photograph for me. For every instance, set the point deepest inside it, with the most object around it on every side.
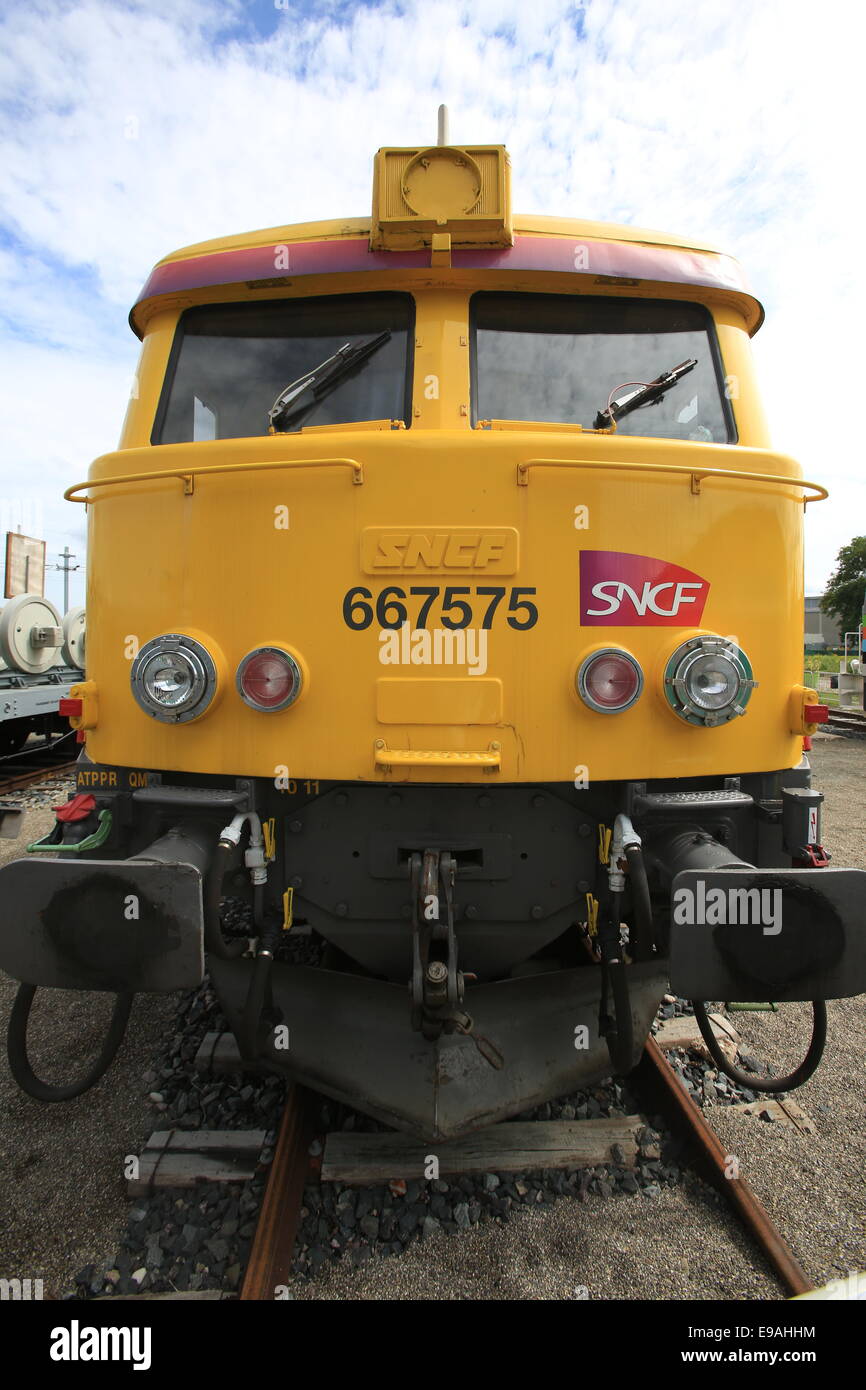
(129, 130)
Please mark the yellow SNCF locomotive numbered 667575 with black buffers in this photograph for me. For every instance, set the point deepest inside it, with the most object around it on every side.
(447, 607)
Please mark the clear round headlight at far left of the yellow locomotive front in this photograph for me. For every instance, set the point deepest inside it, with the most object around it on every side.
(174, 679)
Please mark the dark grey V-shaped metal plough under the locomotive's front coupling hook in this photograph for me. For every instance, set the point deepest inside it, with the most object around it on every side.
(350, 1038)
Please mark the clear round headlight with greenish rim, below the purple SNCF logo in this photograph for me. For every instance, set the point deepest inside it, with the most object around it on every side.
(708, 682)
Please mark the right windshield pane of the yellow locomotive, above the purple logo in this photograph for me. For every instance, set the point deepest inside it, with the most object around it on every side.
(558, 358)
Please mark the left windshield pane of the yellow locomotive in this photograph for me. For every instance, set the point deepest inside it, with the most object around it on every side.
(230, 363)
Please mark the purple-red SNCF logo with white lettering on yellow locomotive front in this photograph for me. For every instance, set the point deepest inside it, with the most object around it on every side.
(621, 590)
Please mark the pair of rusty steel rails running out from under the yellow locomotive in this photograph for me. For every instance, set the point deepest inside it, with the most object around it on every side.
(270, 1259)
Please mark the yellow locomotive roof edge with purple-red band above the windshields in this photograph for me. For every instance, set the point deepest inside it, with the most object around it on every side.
(589, 252)
